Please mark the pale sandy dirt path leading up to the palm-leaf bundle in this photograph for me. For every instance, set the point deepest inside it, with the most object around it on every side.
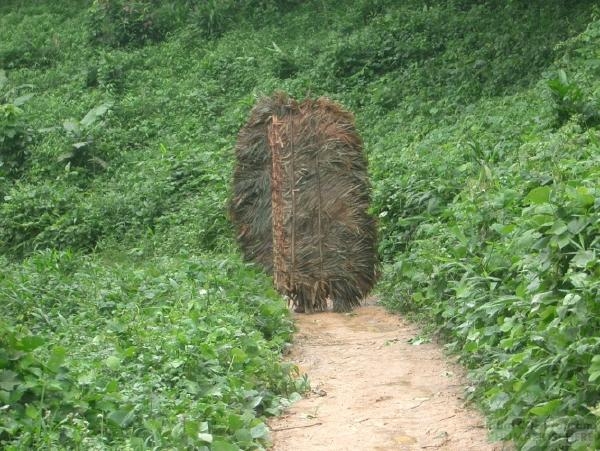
(373, 390)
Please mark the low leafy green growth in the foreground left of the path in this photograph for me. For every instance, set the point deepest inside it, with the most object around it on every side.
(133, 354)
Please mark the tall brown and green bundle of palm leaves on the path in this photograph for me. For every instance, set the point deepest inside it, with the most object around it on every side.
(301, 193)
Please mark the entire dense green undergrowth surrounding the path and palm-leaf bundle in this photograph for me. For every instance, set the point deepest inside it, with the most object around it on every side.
(127, 319)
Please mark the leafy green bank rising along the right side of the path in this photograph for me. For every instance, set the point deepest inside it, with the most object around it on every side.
(491, 221)
